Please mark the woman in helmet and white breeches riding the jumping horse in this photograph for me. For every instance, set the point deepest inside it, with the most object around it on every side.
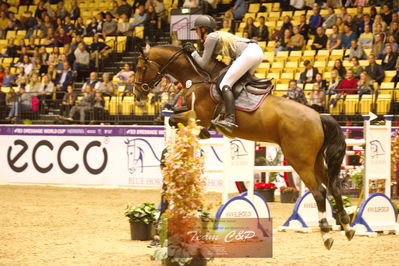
(246, 56)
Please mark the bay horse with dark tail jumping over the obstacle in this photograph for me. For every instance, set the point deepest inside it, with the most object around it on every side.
(312, 143)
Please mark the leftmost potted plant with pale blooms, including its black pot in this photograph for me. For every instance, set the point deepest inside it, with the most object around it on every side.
(141, 218)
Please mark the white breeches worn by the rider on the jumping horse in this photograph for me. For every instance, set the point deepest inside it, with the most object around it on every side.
(249, 60)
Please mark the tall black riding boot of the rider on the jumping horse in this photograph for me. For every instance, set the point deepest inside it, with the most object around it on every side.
(228, 123)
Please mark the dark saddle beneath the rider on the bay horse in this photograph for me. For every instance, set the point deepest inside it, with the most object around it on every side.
(248, 83)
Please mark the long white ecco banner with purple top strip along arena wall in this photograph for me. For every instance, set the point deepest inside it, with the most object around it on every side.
(90, 155)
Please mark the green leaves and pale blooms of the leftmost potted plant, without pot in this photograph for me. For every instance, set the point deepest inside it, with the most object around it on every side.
(143, 213)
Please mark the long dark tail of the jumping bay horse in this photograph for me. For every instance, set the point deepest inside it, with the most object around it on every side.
(333, 151)
